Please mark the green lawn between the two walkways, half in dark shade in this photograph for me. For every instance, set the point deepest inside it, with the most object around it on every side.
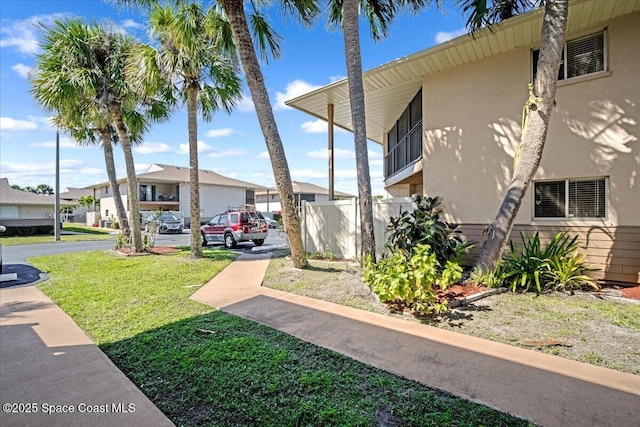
(204, 367)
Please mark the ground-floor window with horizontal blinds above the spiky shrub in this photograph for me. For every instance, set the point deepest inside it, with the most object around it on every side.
(570, 199)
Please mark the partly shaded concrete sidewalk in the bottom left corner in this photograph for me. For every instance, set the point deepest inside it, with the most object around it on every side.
(48, 364)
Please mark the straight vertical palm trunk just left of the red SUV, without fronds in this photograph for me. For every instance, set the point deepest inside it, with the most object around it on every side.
(194, 180)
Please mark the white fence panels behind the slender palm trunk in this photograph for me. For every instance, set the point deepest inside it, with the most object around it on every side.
(336, 225)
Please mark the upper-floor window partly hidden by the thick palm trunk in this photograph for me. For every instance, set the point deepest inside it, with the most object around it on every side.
(585, 55)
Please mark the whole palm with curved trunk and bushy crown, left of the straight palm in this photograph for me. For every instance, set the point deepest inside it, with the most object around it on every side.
(92, 63)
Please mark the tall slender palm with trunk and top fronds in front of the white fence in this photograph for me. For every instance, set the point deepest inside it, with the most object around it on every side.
(346, 14)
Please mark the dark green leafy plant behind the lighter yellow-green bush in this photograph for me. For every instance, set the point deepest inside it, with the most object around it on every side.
(423, 225)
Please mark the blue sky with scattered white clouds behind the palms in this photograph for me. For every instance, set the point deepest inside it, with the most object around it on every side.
(231, 145)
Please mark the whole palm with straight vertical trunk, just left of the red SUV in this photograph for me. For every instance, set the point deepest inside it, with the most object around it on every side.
(191, 55)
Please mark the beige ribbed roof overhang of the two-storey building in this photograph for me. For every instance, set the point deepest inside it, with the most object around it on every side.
(390, 87)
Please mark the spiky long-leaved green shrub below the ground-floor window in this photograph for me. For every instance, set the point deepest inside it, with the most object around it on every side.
(557, 267)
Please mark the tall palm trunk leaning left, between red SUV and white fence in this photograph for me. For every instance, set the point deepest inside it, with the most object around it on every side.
(234, 10)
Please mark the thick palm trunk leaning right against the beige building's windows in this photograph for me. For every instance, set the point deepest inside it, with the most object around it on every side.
(534, 135)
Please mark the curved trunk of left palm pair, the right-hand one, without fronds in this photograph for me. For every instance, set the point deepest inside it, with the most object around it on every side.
(132, 180)
